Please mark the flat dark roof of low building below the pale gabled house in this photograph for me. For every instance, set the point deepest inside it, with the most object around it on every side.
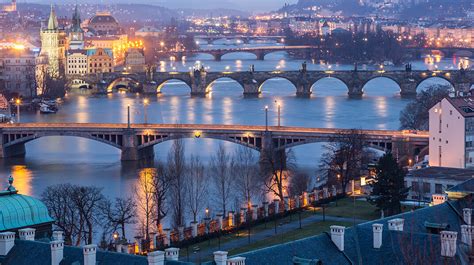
(459, 174)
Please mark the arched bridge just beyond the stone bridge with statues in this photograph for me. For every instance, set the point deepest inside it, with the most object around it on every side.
(260, 52)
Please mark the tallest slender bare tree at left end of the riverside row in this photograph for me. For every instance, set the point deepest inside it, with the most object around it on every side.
(176, 170)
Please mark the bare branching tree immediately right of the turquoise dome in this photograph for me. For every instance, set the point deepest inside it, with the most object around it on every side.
(58, 200)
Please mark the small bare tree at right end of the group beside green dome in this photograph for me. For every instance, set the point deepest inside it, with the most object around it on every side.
(118, 214)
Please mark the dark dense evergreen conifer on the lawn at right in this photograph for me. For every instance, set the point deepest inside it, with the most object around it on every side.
(389, 188)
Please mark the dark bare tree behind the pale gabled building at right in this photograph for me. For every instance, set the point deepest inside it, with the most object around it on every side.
(415, 116)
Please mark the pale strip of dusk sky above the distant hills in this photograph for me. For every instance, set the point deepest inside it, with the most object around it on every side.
(245, 5)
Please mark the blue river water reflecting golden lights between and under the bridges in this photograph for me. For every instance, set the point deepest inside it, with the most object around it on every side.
(54, 160)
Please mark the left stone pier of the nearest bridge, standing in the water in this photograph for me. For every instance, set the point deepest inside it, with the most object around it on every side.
(130, 150)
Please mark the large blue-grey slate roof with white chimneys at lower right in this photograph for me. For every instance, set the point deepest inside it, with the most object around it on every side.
(415, 245)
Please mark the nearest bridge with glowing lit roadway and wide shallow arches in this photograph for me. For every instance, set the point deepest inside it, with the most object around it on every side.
(136, 141)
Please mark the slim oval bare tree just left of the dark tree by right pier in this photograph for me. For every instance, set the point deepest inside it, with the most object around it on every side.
(248, 181)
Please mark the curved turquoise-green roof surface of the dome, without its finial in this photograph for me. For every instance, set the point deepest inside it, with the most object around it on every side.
(17, 211)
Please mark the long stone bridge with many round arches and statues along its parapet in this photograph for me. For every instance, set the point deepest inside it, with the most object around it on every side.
(200, 81)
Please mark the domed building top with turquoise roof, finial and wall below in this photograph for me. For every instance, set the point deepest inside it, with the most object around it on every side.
(21, 211)
